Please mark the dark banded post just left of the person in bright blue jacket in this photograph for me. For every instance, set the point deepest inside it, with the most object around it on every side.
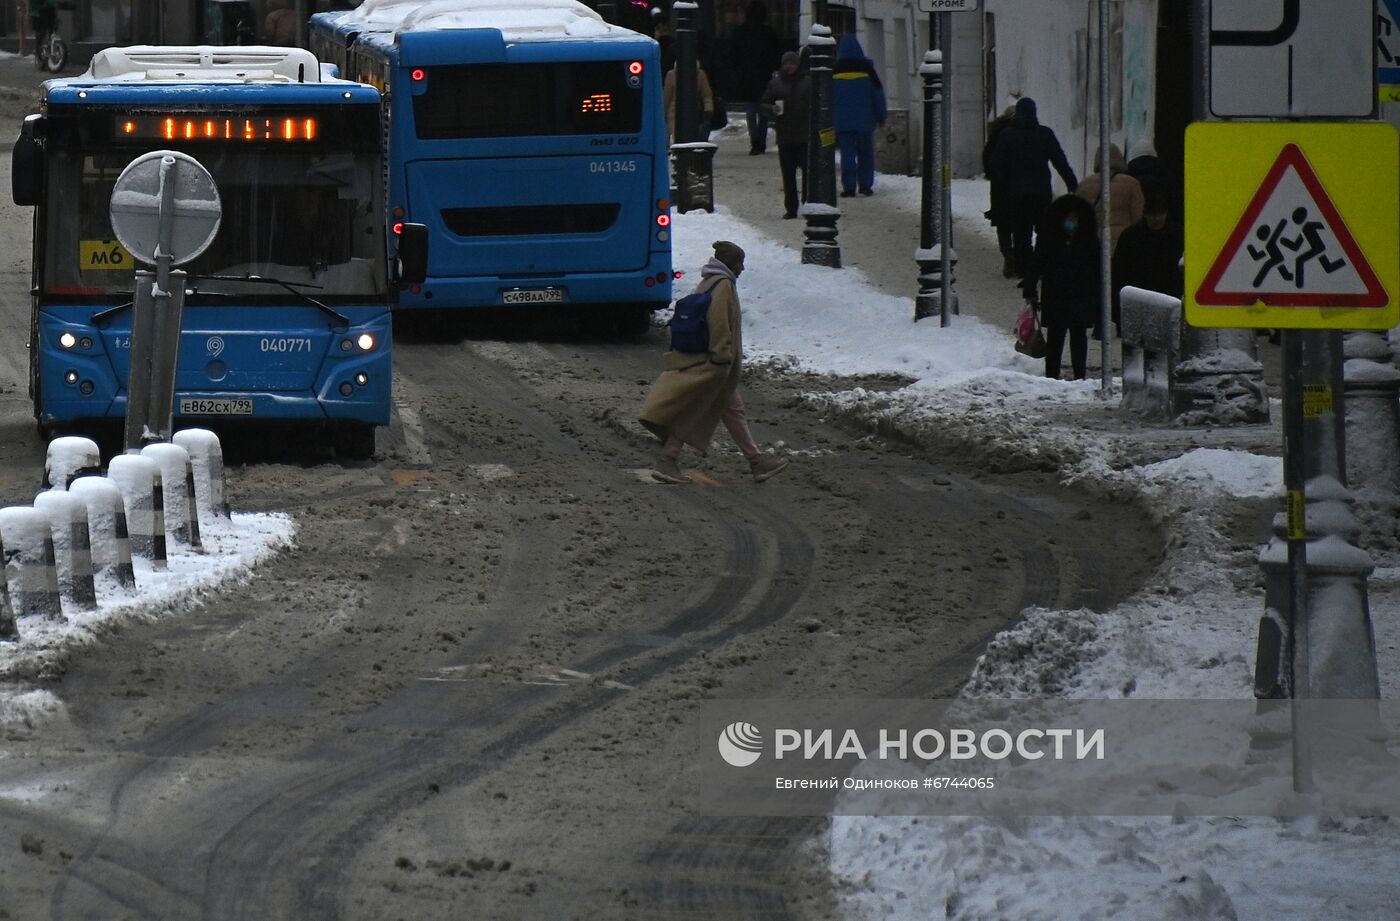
(821, 212)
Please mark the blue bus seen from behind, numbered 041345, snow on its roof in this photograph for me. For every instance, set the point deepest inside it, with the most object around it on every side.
(530, 138)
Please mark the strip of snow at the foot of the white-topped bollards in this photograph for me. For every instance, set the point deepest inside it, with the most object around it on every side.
(232, 549)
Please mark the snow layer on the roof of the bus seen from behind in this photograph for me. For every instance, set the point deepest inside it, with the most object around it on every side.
(516, 19)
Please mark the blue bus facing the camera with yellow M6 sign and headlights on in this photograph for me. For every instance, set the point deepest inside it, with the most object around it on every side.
(288, 313)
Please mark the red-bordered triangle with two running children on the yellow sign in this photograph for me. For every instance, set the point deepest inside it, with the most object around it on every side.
(1293, 248)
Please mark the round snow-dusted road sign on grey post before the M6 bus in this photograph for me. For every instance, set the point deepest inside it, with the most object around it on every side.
(166, 212)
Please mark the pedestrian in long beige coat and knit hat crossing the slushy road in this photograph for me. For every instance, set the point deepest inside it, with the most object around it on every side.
(696, 393)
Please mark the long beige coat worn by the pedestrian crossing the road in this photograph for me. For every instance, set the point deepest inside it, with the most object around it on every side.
(692, 394)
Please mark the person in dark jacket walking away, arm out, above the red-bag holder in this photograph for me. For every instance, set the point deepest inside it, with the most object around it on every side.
(1023, 160)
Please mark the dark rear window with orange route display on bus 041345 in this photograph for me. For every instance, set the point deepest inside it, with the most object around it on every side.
(528, 100)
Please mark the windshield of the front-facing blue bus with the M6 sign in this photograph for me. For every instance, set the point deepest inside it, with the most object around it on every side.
(309, 218)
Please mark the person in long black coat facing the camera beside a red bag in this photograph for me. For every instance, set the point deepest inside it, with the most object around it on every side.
(1063, 282)
